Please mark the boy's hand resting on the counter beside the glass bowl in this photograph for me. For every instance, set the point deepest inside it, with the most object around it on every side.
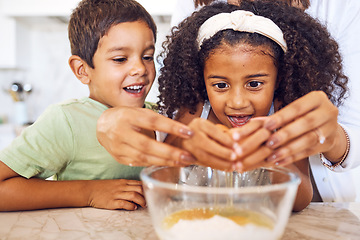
(116, 194)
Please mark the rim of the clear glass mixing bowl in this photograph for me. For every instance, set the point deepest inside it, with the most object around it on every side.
(151, 183)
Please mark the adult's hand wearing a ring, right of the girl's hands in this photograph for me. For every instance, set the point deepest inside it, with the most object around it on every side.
(305, 127)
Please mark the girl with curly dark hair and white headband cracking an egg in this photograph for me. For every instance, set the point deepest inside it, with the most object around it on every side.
(231, 66)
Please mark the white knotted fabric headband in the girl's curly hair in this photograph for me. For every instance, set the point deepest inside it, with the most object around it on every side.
(242, 21)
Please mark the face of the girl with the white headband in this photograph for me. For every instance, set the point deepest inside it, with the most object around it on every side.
(240, 83)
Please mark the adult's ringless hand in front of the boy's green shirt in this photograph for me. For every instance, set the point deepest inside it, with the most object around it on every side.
(128, 135)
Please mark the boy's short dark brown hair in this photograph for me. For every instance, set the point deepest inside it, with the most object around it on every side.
(92, 19)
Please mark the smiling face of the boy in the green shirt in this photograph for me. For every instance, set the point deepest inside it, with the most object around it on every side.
(124, 67)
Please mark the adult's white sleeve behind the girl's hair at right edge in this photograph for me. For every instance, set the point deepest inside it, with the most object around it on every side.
(342, 19)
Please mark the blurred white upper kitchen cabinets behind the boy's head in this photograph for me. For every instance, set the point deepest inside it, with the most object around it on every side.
(14, 35)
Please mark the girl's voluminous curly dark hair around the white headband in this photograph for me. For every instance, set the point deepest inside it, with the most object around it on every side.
(312, 61)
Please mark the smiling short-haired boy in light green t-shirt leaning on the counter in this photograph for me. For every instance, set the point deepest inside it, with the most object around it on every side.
(112, 46)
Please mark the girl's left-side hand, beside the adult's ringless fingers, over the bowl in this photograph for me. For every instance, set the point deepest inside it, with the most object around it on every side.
(210, 144)
